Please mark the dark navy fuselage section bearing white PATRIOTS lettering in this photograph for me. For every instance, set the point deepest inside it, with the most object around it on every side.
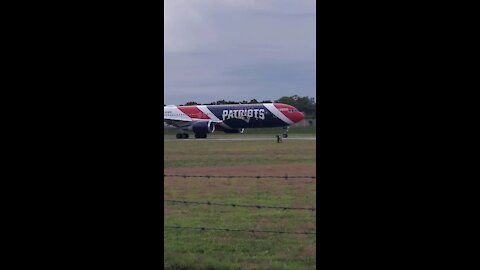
(246, 116)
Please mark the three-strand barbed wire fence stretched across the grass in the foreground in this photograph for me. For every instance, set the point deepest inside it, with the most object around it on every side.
(235, 205)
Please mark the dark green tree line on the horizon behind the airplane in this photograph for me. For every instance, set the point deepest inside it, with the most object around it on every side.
(307, 105)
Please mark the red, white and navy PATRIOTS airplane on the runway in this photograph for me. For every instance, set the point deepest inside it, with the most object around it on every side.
(205, 119)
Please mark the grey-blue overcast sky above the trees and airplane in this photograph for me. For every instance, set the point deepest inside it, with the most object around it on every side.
(238, 49)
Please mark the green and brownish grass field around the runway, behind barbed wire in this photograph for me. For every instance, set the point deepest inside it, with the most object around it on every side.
(188, 249)
